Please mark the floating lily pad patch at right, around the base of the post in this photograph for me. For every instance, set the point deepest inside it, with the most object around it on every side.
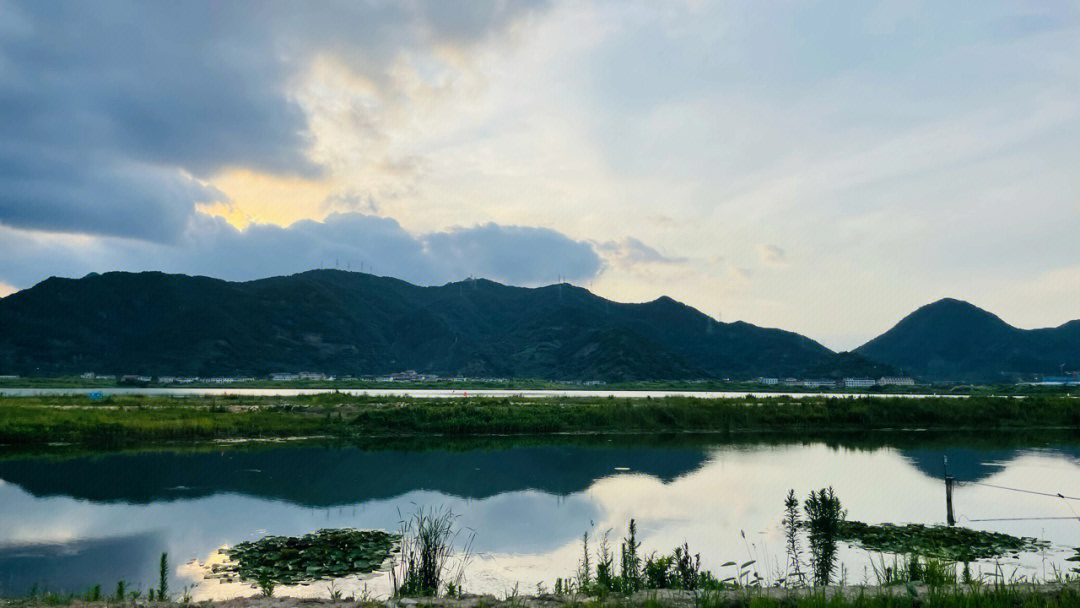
(954, 544)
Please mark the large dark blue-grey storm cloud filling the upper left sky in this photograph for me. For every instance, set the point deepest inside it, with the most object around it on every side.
(112, 113)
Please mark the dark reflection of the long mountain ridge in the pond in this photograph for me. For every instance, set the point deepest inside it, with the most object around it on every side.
(327, 477)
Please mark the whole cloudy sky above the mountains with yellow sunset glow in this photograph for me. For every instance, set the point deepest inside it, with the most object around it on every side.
(826, 168)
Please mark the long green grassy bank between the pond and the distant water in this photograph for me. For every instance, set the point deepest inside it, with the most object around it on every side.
(132, 420)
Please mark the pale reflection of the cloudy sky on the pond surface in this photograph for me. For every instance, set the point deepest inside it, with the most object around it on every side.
(528, 536)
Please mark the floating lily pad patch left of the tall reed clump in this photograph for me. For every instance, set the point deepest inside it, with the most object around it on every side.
(322, 556)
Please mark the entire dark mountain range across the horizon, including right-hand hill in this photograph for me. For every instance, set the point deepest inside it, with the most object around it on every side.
(352, 323)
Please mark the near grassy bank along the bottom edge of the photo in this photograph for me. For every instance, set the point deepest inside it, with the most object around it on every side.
(1051, 596)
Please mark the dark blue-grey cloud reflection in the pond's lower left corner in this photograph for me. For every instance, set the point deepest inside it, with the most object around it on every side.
(75, 566)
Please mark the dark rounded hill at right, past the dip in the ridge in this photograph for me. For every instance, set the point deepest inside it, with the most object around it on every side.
(954, 341)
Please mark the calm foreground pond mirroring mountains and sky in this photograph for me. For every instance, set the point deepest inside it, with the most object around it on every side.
(70, 520)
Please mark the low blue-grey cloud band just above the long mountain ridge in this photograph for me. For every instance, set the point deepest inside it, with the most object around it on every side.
(211, 247)
